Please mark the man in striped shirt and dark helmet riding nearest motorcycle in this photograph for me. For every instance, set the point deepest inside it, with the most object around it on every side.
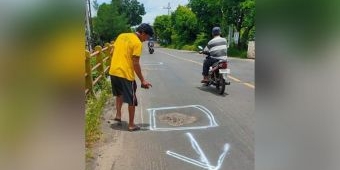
(216, 50)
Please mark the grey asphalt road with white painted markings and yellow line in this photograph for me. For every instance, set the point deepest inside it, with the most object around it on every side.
(186, 126)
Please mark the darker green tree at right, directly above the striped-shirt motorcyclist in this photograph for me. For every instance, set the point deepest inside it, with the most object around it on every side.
(236, 13)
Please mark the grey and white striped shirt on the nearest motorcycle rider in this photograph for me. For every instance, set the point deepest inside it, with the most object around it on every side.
(217, 47)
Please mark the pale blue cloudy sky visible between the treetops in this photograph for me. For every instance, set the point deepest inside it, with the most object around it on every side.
(153, 8)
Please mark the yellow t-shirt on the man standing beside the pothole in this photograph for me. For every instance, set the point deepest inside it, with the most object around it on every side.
(125, 46)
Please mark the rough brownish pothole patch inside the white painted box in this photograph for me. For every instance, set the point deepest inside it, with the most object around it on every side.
(177, 119)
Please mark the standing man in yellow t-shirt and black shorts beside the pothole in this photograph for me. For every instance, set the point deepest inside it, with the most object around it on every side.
(124, 65)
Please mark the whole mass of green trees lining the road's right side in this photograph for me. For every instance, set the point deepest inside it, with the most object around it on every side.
(191, 25)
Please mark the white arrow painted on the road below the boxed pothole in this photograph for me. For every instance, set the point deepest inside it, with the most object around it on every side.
(204, 162)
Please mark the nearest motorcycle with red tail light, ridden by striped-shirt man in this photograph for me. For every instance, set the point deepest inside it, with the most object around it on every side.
(218, 74)
